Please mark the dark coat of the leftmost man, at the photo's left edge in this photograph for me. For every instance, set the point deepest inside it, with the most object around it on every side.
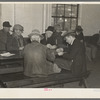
(3, 40)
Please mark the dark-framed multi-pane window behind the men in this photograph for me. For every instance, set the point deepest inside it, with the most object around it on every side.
(66, 15)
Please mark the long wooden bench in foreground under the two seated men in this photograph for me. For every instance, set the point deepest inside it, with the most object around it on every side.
(18, 80)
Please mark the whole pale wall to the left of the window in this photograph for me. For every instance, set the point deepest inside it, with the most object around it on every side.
(30, 16)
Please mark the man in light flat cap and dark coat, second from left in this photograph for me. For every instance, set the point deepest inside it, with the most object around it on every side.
(17, 41)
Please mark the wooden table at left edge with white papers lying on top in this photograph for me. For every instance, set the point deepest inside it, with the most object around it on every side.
(11, 64)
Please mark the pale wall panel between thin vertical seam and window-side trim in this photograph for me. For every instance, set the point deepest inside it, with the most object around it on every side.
(30, 16)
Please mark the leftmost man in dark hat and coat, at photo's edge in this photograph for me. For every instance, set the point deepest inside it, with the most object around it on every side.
(4, 35)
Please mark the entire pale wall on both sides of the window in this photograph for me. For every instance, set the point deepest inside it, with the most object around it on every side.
(38, 16)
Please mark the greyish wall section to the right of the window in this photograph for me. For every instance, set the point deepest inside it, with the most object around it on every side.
(90, 18)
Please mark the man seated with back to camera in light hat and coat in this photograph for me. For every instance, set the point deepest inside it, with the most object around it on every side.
(38, 59)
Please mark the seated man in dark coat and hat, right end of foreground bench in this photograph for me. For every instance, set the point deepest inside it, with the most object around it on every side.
(75, 60)
